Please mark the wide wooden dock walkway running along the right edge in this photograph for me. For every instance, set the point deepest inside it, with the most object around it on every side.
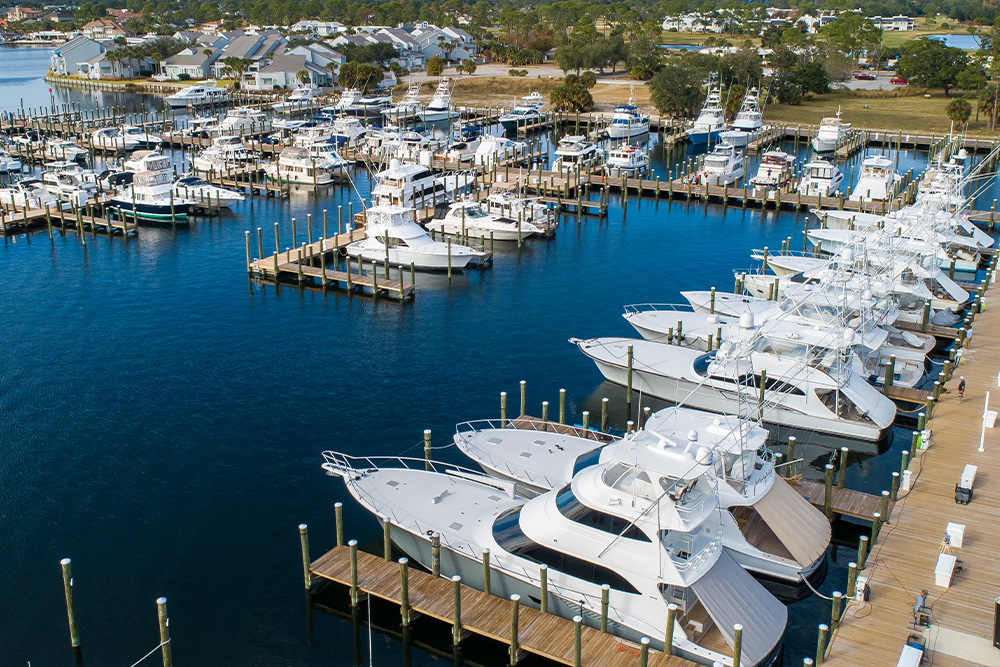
(902, 561)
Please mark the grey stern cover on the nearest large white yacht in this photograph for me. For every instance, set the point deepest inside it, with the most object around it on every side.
(732, 596)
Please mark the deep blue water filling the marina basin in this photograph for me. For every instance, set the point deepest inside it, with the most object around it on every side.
(162, 418)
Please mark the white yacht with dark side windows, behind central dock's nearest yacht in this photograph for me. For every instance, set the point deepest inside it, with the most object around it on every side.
(410, 185)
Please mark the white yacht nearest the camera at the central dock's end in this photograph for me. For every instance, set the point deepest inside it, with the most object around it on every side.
(391, 232)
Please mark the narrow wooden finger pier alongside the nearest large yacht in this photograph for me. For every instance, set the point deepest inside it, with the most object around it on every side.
(544, 635)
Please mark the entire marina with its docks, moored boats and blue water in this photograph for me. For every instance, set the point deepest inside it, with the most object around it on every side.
(492, 266)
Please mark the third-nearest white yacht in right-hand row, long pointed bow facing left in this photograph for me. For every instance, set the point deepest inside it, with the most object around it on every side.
(807, 383)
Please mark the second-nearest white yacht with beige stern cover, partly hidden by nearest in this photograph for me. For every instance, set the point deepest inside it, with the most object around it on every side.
(774, 533)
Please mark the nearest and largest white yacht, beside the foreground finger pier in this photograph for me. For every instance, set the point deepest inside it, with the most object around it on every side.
(640, 535)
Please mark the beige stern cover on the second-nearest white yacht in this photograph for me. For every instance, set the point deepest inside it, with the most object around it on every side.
(800, 527)
